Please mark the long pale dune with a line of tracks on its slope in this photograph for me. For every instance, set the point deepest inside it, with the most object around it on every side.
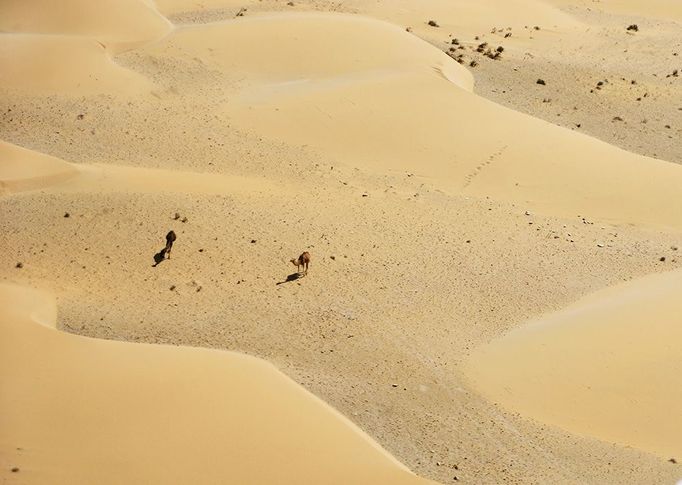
(469, 146)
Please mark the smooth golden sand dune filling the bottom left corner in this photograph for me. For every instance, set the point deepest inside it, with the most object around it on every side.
(78, 410)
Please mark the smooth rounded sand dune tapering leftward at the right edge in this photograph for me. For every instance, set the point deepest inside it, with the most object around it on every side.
(608, 366)
